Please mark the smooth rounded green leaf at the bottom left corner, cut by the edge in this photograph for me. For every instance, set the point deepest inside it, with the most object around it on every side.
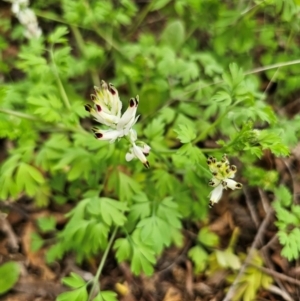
(9, 275)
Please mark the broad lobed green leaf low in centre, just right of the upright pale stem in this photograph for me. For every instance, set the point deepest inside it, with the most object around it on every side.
(149, 238)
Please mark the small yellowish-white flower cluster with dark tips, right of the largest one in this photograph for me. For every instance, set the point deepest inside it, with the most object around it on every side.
(223, 175)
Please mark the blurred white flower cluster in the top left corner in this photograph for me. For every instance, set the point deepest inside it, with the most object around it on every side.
(27, 18)
